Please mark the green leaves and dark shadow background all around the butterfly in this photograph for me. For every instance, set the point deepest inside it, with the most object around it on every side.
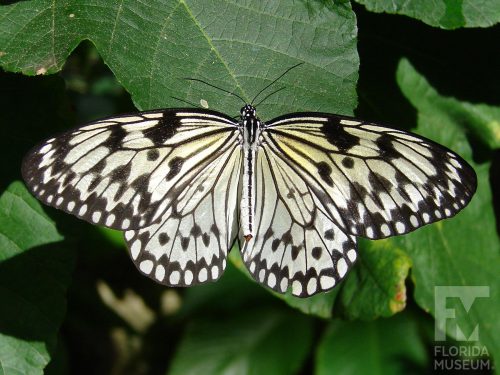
(71, 300)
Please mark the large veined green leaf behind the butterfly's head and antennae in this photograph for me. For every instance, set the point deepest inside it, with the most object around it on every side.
(152, 46)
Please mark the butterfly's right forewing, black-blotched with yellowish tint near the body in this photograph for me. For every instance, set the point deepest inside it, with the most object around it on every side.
(373, 181)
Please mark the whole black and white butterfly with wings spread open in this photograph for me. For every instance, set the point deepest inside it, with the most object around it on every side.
(296, 191)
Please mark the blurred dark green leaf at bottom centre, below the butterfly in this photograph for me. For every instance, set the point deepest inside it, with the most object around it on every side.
(260, 341)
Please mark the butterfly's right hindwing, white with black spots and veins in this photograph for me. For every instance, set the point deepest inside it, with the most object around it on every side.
(296, 244)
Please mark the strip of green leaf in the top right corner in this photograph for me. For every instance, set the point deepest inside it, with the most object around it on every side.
(447, 14)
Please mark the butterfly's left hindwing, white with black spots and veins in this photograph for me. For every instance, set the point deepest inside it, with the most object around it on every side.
(189, 245)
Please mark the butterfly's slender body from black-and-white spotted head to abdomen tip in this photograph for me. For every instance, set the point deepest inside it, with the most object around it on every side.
(250, 126)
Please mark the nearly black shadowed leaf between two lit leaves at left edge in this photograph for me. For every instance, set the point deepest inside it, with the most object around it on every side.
(33, 292)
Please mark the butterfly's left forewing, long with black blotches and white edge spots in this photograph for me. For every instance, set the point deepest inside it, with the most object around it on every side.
(125, 172)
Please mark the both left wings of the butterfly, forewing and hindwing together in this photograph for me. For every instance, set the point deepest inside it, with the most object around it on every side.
(170, 177)
